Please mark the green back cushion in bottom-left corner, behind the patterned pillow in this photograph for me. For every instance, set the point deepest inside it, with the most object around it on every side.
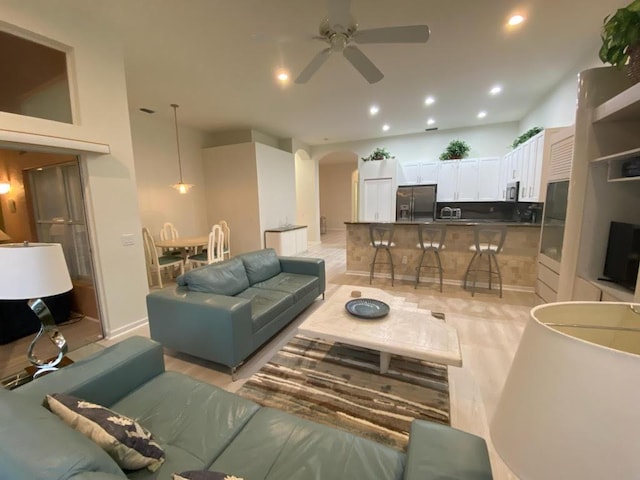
(38, 446)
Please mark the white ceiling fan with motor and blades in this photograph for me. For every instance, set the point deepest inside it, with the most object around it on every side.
(340, 31)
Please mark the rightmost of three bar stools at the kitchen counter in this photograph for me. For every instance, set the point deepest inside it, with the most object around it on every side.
(487, 241)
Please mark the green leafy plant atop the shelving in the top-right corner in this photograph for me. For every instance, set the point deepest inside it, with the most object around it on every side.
(621, 39)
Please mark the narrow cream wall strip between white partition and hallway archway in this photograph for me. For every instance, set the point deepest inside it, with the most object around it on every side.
(307, 196)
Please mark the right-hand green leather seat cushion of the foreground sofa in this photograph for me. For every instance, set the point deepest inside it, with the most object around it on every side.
(281, 445)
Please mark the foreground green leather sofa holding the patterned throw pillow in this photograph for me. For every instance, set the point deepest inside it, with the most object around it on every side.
(202, 427)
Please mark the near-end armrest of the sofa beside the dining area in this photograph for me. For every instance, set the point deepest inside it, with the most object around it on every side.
(206, 325)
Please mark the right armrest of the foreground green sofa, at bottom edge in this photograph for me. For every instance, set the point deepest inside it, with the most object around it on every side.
(440, 452)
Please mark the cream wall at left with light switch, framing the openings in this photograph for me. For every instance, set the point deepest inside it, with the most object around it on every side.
(101, 115)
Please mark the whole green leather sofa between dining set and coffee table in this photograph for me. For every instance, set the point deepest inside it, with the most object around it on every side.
(225, 311)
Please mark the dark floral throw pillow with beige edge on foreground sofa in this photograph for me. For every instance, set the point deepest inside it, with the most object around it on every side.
(124, 439)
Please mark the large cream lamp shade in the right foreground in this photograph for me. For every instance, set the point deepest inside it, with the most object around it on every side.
(570, 408)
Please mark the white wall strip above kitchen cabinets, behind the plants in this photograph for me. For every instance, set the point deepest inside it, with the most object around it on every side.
(485, 141)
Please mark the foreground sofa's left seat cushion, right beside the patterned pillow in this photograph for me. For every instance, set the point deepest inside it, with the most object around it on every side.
(192, 421)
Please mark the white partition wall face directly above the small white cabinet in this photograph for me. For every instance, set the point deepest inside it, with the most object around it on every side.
(276, 187)
